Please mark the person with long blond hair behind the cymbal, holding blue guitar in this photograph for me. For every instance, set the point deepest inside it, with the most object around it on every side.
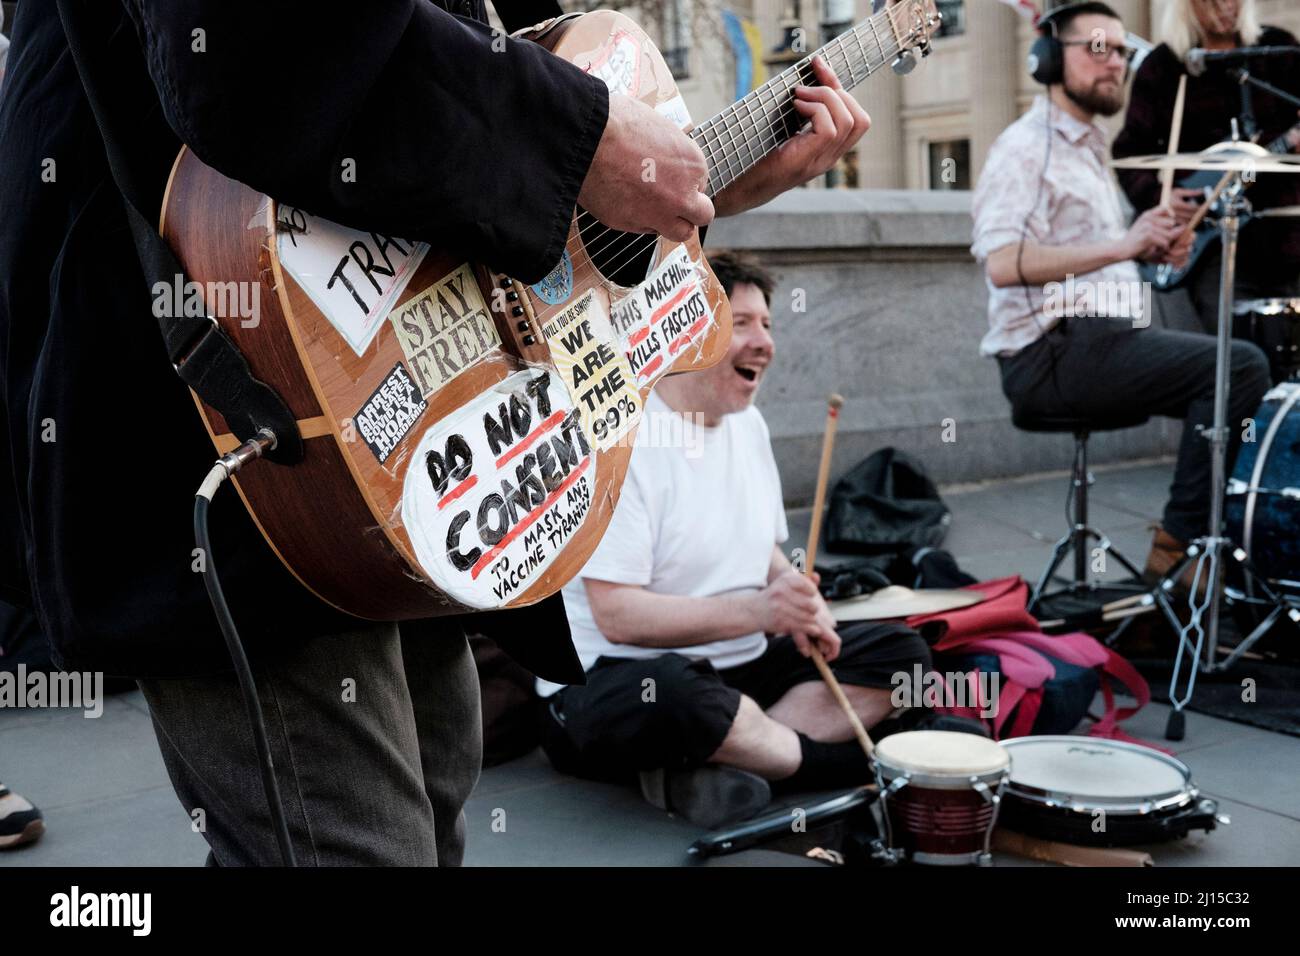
(1268, 259)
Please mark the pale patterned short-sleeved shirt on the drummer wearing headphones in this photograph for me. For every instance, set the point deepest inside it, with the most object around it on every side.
(1078, 204)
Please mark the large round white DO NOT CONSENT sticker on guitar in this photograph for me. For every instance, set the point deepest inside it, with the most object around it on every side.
(497, 491)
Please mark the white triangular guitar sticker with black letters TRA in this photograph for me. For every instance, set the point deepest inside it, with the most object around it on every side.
(353, 278)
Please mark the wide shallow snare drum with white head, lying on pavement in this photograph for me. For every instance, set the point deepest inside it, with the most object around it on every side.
(1100, 793)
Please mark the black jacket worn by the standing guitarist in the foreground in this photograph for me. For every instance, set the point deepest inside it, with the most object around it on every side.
(101, 445)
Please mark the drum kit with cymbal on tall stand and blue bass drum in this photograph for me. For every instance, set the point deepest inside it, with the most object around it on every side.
(1263, 496)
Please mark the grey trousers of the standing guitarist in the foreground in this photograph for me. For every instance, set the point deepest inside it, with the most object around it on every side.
(376, 736)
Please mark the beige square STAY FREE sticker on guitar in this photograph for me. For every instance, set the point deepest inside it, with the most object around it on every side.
(445, 330)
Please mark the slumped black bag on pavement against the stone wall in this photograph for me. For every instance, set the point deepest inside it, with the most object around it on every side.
(886, 505)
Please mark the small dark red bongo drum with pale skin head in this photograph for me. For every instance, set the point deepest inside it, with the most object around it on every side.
(941, 795)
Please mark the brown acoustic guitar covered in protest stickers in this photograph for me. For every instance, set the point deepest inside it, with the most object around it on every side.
(466, 434)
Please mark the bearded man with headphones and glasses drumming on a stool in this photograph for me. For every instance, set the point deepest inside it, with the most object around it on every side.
(1048, 222)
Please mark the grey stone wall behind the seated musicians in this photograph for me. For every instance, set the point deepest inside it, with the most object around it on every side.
(895, 312)
